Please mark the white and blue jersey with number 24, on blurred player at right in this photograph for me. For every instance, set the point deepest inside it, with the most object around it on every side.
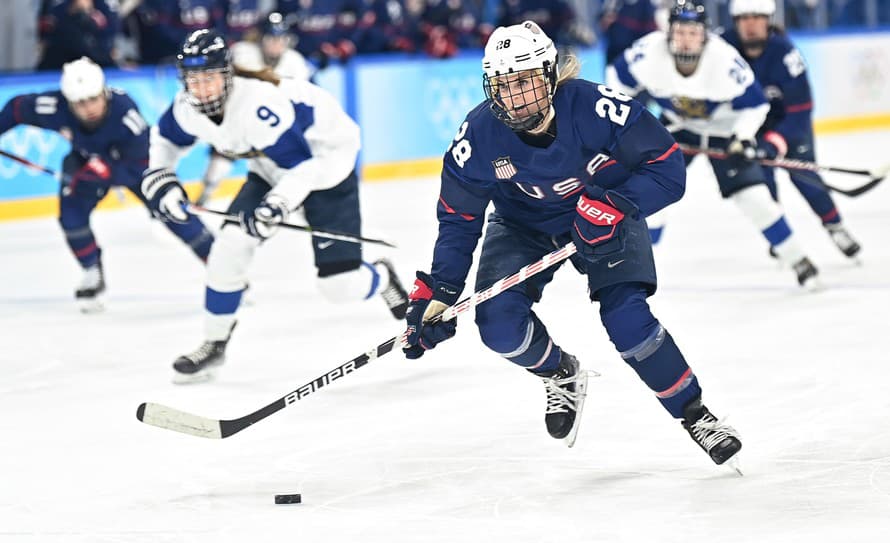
(721, 98)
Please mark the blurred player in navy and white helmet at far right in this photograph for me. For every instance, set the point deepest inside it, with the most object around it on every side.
(788, 131)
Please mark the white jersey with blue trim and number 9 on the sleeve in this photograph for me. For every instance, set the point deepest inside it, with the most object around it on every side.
(295, 135)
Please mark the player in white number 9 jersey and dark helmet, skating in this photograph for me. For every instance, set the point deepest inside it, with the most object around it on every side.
(301, 149)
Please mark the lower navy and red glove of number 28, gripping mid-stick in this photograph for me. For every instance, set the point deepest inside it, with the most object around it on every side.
(428, 299)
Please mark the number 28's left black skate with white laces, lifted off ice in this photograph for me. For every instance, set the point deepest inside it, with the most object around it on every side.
(566, 389)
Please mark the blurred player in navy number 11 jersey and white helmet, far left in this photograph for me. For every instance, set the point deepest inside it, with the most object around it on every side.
(109, 147)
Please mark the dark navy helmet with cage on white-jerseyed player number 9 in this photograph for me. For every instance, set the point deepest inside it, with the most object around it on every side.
(204, 52)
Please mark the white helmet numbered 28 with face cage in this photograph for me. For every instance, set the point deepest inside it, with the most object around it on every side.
(511, 50)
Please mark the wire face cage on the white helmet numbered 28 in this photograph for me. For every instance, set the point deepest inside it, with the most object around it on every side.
(521, 100)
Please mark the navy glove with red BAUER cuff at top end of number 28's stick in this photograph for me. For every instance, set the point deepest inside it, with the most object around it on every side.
(598, 231)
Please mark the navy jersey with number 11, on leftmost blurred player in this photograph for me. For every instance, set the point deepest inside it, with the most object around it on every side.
(121, 140)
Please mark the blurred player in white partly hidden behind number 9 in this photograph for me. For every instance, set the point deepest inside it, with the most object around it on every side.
(274, 52)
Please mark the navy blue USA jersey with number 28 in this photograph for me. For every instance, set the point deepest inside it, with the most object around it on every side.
(603, 138)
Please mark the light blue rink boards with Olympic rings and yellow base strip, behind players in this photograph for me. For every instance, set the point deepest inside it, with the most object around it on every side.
(410, 107)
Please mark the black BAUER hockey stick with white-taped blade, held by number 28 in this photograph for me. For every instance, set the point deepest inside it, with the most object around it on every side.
(173, 419)
